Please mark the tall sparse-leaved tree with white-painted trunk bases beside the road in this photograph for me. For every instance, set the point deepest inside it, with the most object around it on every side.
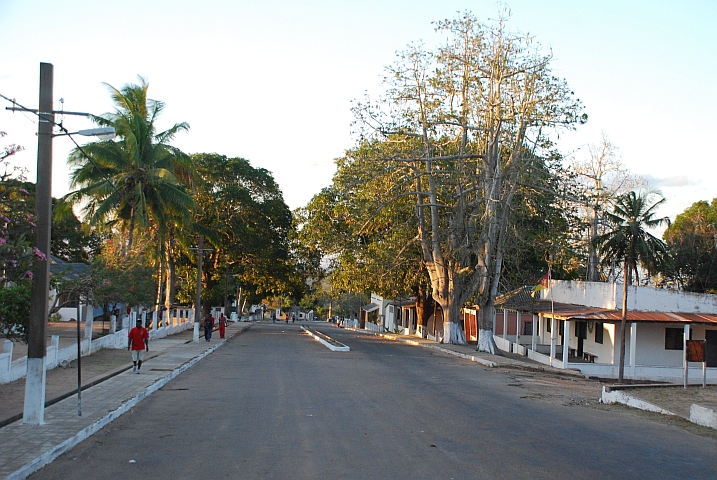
(458, 131)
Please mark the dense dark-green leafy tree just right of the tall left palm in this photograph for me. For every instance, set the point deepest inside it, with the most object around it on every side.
(247, 225)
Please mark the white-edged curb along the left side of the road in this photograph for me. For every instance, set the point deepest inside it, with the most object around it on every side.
(49, 456)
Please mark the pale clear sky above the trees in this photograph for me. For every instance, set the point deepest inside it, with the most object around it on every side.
(272, 81)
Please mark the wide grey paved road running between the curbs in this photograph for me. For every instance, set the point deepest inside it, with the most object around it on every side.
(274, 403)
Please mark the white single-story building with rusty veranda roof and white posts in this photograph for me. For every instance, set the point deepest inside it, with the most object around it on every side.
(577, 325)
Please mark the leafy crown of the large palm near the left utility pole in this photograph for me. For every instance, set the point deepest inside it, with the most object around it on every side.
(140, 179)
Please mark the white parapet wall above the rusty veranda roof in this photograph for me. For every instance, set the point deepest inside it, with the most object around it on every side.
(647, 299)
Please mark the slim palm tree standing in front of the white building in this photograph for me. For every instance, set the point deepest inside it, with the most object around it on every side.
(628, 240)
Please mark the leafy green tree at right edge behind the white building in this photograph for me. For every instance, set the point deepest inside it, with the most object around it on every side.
(692, 241)
